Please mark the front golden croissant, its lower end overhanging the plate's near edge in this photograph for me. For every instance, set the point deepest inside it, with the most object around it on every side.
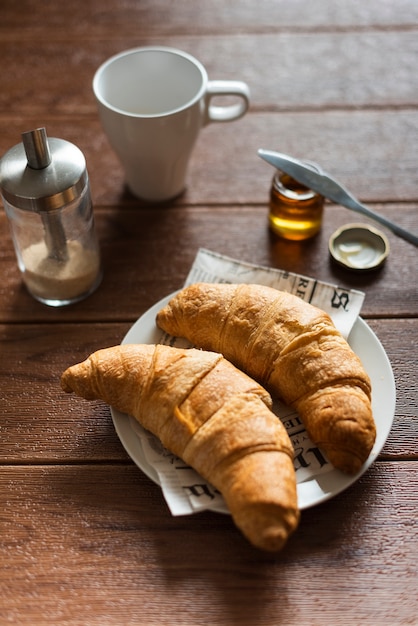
(214, 417)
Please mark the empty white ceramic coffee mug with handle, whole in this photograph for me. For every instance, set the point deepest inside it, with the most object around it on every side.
(152, 102)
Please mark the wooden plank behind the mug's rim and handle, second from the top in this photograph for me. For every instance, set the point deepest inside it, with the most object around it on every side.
(285, 71)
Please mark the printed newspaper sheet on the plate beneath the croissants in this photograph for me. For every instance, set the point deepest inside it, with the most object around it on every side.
(184, 490)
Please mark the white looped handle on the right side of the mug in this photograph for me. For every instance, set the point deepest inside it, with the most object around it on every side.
(229, 112)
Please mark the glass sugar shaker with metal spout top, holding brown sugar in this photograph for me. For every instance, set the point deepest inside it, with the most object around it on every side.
(46, 195)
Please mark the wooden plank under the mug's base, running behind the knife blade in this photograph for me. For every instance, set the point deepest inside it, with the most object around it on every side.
(373, 153)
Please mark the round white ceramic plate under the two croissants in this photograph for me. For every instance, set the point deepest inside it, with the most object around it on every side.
(322, 487)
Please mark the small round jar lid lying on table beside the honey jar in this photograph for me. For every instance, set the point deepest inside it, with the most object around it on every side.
(359, 247)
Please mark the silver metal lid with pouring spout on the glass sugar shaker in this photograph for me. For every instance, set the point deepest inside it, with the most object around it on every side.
(41, 174)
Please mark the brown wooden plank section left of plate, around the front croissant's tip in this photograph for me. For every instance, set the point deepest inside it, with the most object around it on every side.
(39, 422)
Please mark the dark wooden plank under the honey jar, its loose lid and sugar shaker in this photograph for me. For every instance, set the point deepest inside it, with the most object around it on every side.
(147, 254)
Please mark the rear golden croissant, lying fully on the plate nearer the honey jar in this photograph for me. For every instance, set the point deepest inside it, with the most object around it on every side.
(290, 347)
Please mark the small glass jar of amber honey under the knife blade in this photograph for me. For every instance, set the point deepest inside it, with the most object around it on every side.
(295, 211)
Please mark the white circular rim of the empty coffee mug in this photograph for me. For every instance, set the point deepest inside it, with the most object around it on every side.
(132, 51)
